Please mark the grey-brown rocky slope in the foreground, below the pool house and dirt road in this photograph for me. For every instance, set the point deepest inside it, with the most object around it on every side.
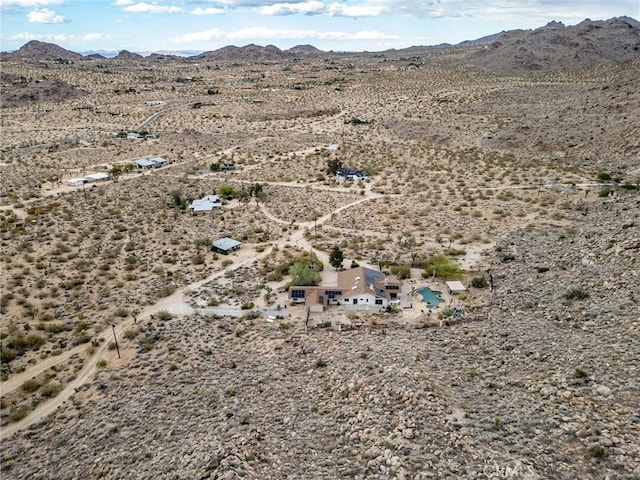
(545, 388)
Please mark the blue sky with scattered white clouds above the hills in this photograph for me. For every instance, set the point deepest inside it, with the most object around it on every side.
(338, 25)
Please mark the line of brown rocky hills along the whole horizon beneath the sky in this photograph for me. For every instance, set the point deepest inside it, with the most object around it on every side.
(551, 46)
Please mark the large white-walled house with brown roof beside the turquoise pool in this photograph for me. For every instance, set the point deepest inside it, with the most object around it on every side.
(358, 288)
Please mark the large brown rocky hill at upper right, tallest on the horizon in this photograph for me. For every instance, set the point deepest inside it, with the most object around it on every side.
(557, 47)
